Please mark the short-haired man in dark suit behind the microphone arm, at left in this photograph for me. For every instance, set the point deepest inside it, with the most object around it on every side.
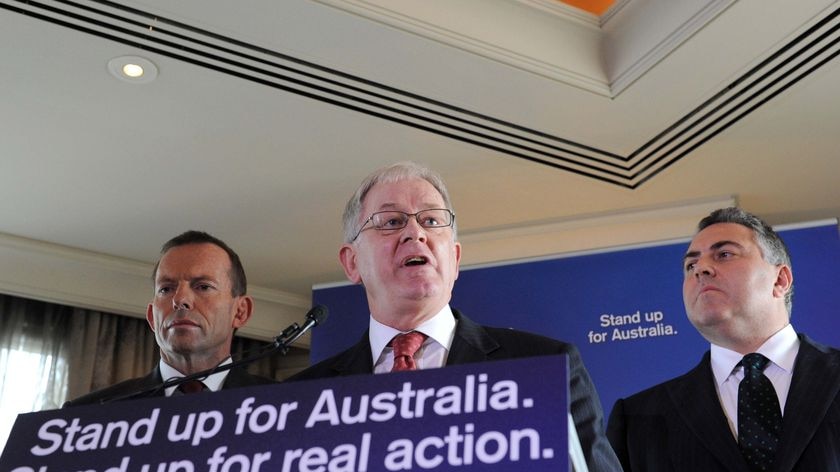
(199, 301)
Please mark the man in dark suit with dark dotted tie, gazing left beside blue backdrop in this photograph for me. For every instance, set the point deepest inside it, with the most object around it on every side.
(737, 293)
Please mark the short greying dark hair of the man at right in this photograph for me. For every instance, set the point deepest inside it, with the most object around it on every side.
(773, 248)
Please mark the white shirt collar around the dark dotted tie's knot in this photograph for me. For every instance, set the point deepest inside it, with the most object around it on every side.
(781, 349)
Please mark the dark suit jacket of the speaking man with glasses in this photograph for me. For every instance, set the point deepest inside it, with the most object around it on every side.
(475, 343)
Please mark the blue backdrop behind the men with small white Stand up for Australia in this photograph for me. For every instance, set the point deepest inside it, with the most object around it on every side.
(622, 308)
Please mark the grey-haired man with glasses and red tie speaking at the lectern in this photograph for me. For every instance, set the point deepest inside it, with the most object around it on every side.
(401, 244)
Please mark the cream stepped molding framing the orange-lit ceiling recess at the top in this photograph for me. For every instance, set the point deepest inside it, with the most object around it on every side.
(606, 54)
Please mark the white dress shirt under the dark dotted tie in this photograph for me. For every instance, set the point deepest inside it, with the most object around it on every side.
(781, 349)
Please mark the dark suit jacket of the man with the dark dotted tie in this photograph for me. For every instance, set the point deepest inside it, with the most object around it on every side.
(680, 425)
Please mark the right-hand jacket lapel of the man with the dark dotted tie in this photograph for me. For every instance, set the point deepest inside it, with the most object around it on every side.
(812, 390)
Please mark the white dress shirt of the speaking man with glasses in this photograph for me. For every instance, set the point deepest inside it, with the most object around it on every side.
(440, 330)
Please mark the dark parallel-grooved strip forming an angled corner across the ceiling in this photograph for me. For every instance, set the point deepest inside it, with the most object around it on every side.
(794, 60)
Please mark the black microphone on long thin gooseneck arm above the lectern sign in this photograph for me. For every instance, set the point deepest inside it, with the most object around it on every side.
(292, 333)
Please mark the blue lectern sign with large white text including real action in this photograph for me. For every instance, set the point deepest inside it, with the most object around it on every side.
(506, 415)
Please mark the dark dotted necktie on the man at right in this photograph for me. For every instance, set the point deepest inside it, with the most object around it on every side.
(759, 415)
